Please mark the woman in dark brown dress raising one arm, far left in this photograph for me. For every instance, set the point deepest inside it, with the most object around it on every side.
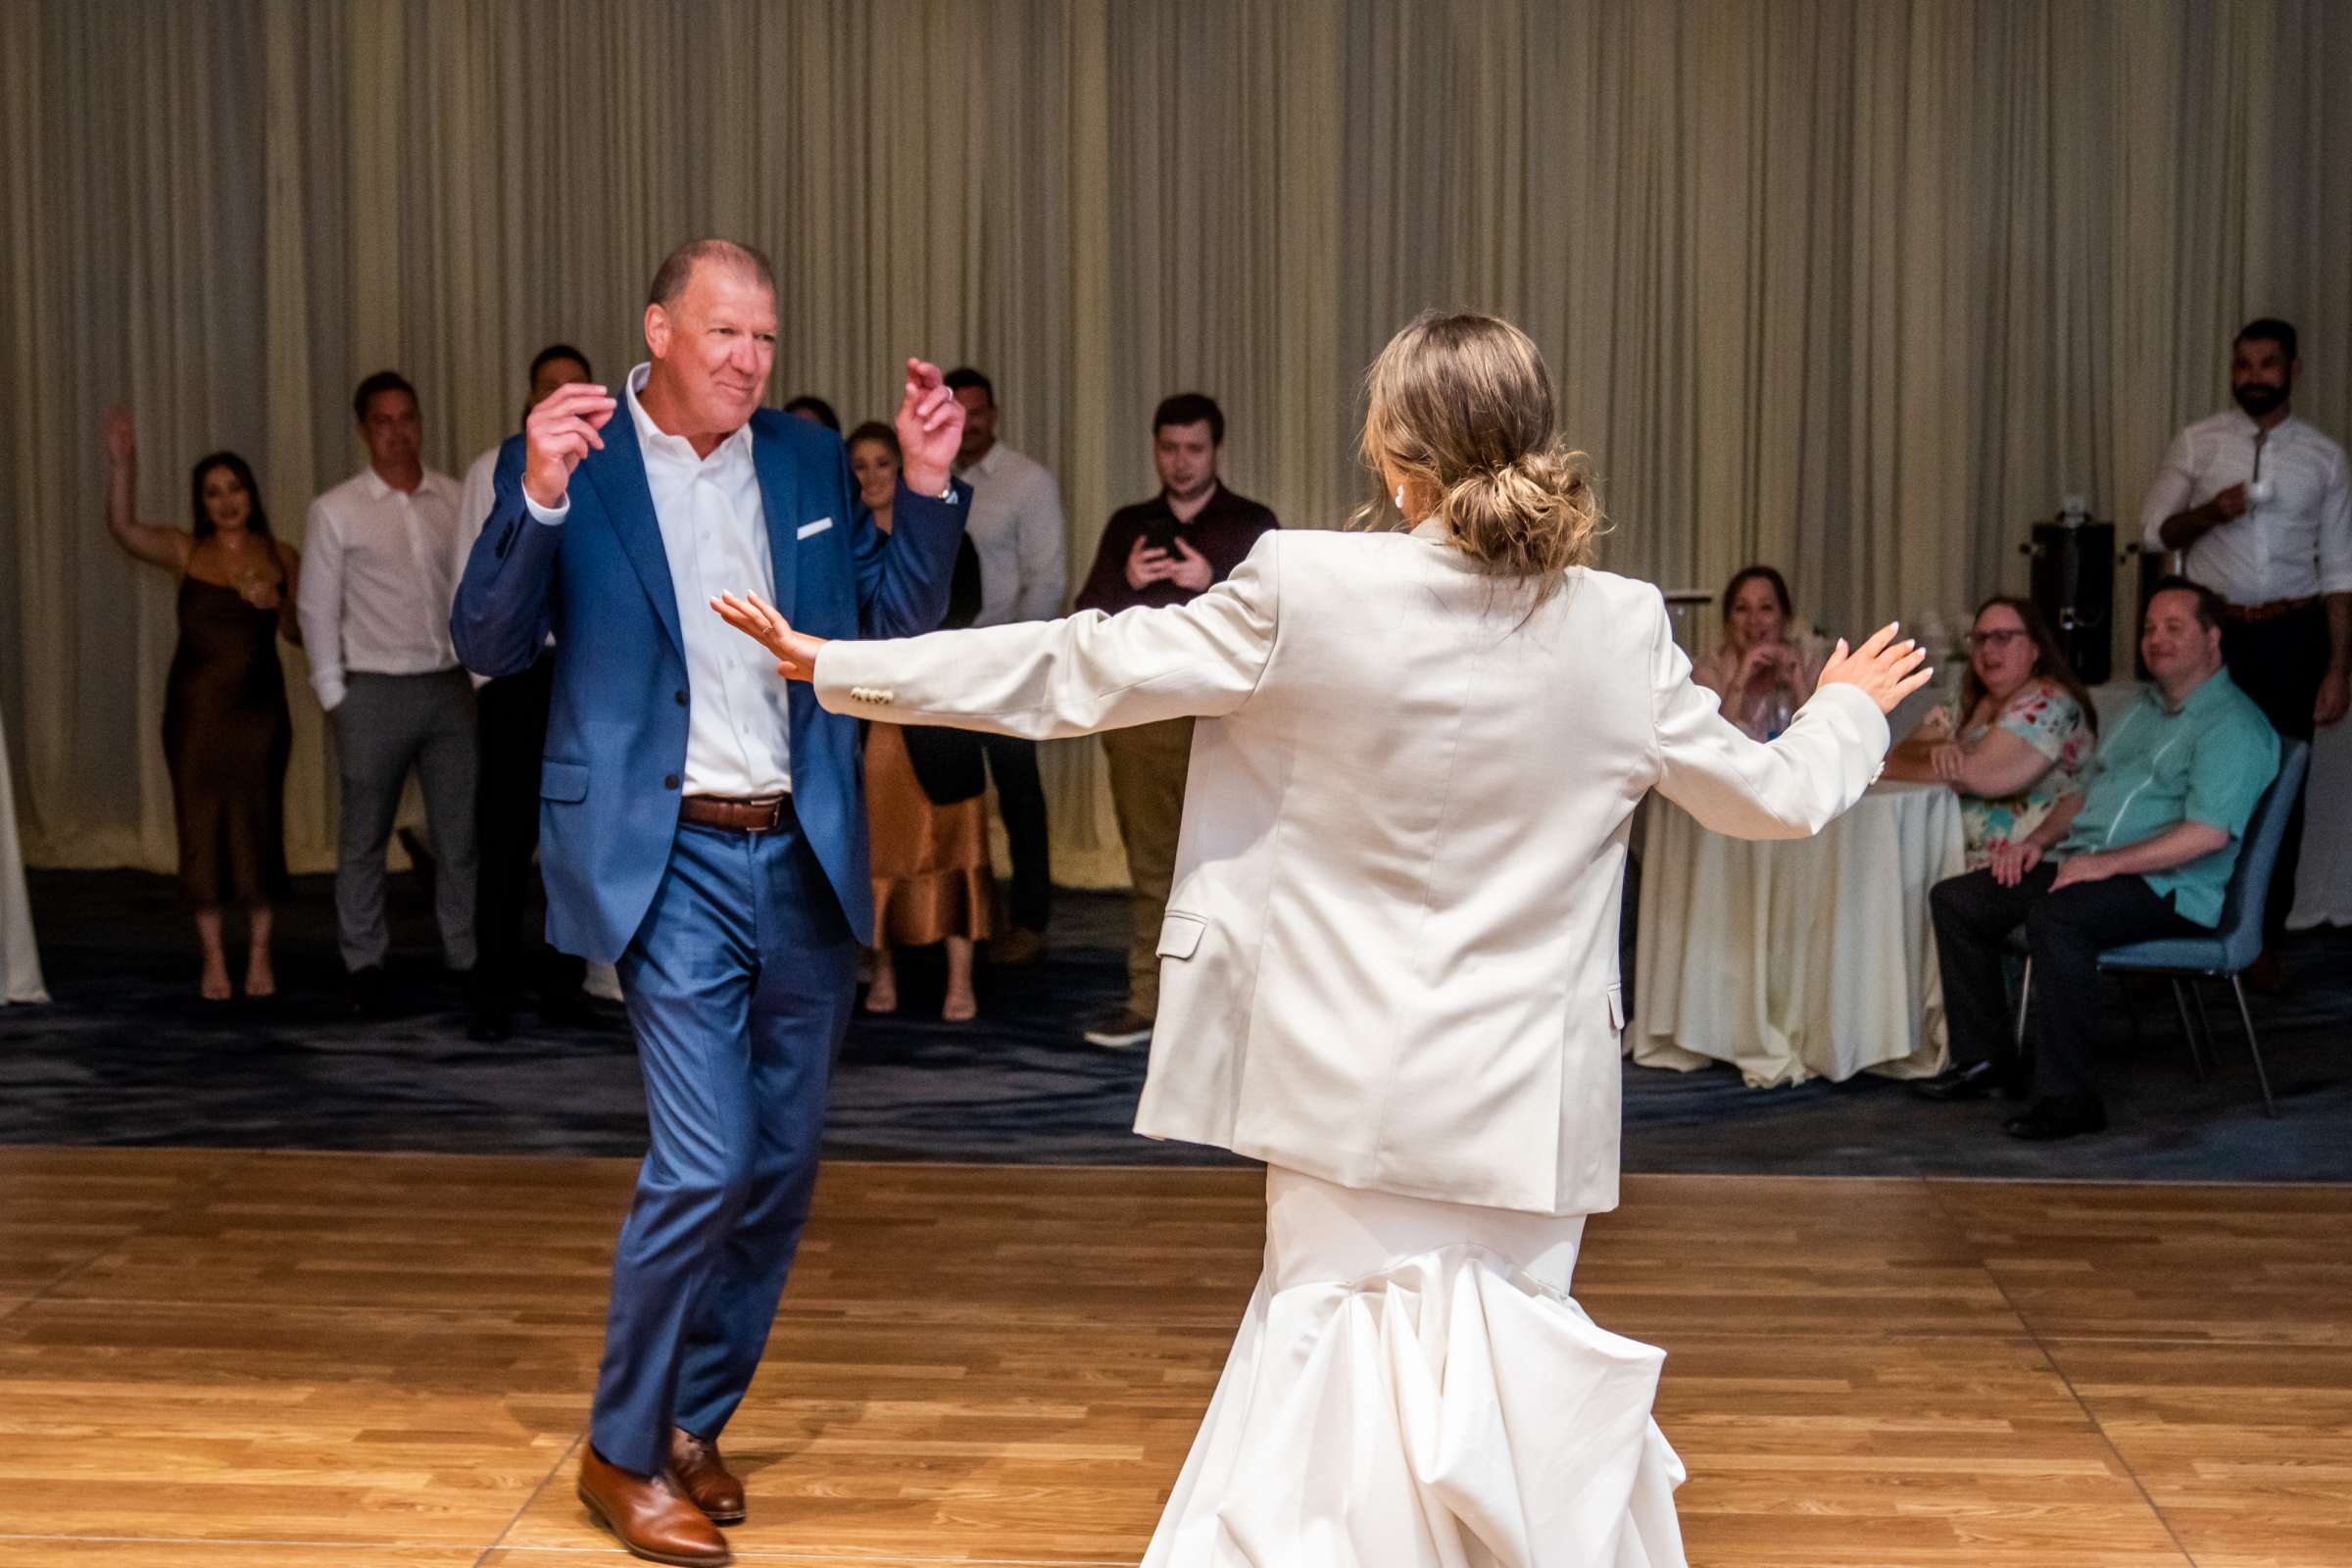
(225, 723)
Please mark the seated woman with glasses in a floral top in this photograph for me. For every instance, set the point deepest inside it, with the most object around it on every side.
(2026, 730)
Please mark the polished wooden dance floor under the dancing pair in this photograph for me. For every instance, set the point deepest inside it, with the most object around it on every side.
(366, 1362)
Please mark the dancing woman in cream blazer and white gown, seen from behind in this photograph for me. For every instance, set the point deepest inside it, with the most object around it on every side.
(1389, 965)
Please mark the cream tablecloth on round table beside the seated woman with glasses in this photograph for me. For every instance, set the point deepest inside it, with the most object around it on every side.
(1798, 958)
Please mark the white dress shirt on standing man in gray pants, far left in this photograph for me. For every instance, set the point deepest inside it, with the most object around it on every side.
(375, 582)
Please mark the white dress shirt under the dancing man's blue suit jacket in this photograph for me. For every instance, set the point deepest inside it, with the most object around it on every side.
(714, 530)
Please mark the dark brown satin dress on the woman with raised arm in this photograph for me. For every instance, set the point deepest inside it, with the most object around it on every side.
(227, 735)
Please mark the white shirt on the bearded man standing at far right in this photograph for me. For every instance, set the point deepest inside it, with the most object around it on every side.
(2292, 547)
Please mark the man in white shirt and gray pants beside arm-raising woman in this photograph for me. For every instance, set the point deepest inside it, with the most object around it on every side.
(375, 615)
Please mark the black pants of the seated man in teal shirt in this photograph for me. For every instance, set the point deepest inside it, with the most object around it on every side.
(2066, 934)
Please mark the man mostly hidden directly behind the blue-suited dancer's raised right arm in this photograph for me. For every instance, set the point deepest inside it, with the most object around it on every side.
(512, 735)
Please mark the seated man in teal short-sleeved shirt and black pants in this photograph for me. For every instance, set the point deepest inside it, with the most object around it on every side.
(2144, 852)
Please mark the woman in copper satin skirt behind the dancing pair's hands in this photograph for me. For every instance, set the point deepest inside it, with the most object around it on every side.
(923, 798)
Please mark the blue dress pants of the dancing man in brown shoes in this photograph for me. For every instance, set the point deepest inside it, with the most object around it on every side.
(740, 986)
